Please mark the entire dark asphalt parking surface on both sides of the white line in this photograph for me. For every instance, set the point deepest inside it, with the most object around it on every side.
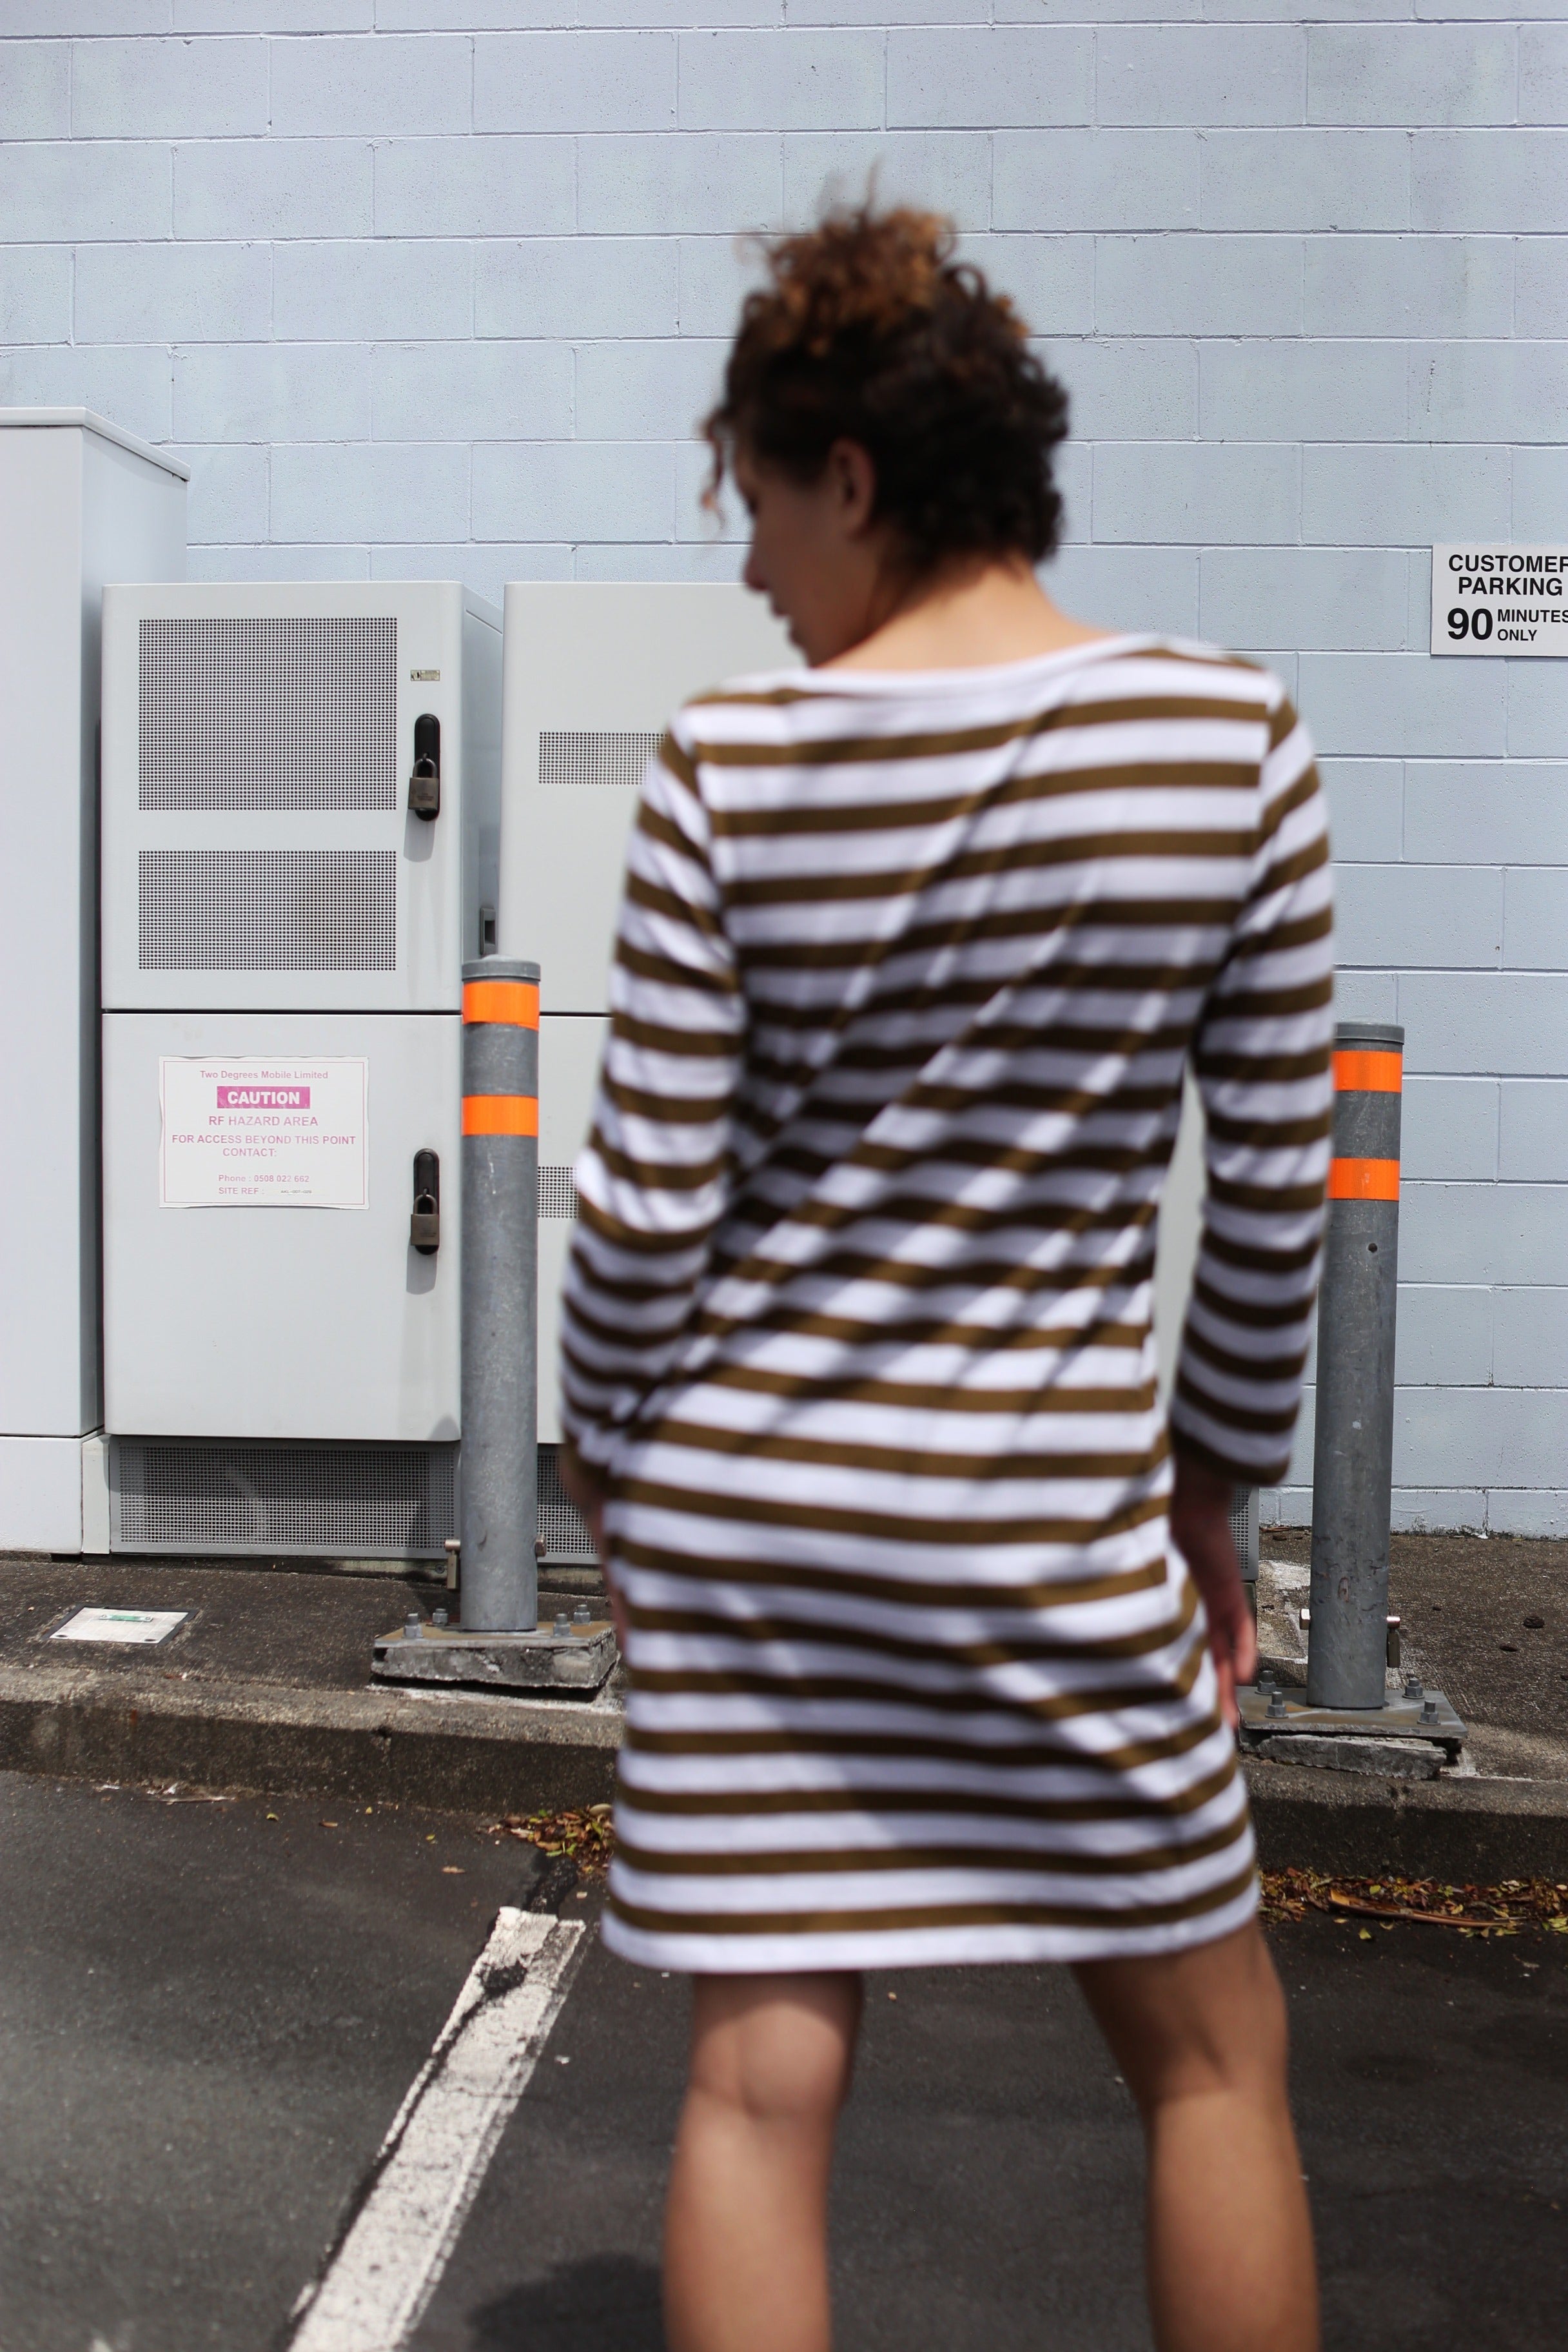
(213, 2010)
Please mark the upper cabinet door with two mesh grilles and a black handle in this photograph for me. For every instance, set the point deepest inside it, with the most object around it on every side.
(262, 848)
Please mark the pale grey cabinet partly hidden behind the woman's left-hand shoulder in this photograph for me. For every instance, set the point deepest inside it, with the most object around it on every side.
(594, 671)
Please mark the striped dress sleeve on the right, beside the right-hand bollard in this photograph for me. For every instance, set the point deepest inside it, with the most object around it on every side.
(1264, 1069)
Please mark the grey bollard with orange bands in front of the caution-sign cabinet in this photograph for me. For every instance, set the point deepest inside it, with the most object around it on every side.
(500, 1575)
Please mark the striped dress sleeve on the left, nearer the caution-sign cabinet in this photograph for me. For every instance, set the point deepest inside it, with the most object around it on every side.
(655, 1175)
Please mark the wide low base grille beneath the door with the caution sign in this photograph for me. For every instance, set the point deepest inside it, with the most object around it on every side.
(297, 1497)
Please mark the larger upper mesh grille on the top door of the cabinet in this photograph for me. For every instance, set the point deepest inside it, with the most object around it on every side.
(257, 711)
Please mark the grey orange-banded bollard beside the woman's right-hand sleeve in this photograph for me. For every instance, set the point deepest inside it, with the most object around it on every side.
(1353, 1464)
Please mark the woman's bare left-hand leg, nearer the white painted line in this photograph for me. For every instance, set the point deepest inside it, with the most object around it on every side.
(746, 2226)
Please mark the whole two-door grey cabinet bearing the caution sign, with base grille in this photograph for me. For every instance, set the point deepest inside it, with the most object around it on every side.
(300, 850)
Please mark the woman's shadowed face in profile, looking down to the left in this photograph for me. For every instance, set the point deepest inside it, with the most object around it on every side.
(815, 552)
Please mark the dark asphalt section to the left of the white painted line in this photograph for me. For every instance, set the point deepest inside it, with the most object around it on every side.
(208, 2019)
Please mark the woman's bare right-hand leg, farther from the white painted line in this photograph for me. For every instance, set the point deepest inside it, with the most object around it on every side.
(1202, 2043)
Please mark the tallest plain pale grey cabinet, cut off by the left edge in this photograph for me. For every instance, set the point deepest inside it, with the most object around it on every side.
(81, 502)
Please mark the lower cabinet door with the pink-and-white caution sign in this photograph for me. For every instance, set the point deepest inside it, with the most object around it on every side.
(288, 1304)
